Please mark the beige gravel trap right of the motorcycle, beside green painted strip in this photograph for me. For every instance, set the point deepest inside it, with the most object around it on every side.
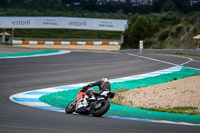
(178, 93)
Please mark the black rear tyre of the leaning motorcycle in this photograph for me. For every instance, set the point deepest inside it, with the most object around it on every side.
(105, 105)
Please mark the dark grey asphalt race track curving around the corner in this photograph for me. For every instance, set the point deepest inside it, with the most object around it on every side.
(24, 74)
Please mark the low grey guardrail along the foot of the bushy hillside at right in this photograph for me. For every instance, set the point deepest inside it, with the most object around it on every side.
(165, 51)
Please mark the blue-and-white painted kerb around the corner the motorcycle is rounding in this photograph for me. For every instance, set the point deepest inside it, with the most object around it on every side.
(42, 105)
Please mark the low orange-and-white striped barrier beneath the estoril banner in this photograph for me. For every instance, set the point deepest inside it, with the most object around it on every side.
(66, 42)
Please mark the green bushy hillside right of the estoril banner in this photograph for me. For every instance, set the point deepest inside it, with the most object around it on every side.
(168, 29)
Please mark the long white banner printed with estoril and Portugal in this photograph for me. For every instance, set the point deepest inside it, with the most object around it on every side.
(63, 23)
